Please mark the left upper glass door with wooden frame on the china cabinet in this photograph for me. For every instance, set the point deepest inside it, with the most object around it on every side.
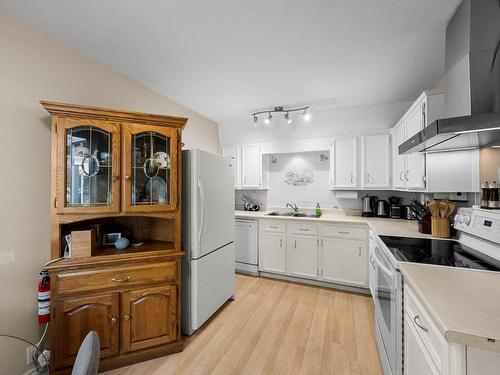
(89, 167)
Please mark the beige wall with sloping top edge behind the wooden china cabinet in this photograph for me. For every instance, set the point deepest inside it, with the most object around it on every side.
(35, 67)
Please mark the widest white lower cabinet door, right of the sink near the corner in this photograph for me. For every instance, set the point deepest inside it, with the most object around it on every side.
(344, 261)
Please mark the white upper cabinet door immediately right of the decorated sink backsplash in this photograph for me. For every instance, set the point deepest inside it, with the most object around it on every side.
(344, 163)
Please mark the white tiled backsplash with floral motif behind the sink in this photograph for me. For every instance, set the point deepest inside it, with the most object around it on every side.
(303, 179)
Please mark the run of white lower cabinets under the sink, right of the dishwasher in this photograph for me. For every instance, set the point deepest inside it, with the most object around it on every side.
(330, 253)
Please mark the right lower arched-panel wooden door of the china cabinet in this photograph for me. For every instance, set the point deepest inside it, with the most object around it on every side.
(149, 317)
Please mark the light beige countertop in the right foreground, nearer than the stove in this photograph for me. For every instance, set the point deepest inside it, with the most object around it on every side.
(464, 304)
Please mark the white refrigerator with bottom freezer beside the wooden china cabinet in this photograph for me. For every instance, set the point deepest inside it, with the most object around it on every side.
(207, 236)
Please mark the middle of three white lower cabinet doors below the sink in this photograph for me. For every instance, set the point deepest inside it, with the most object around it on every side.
(302, 256)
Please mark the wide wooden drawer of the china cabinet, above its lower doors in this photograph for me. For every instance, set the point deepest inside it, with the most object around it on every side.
(103, 278)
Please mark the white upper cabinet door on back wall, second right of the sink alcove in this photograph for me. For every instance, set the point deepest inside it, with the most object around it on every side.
(376, 161)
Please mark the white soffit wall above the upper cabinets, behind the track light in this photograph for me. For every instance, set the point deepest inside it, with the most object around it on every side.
(326, 122)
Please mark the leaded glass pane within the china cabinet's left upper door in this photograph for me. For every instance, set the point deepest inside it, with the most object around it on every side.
(88, 167)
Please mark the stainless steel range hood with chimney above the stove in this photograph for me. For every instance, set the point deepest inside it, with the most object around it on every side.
(472, 83)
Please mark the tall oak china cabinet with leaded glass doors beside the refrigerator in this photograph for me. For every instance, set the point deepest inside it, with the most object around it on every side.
(115, 172)
